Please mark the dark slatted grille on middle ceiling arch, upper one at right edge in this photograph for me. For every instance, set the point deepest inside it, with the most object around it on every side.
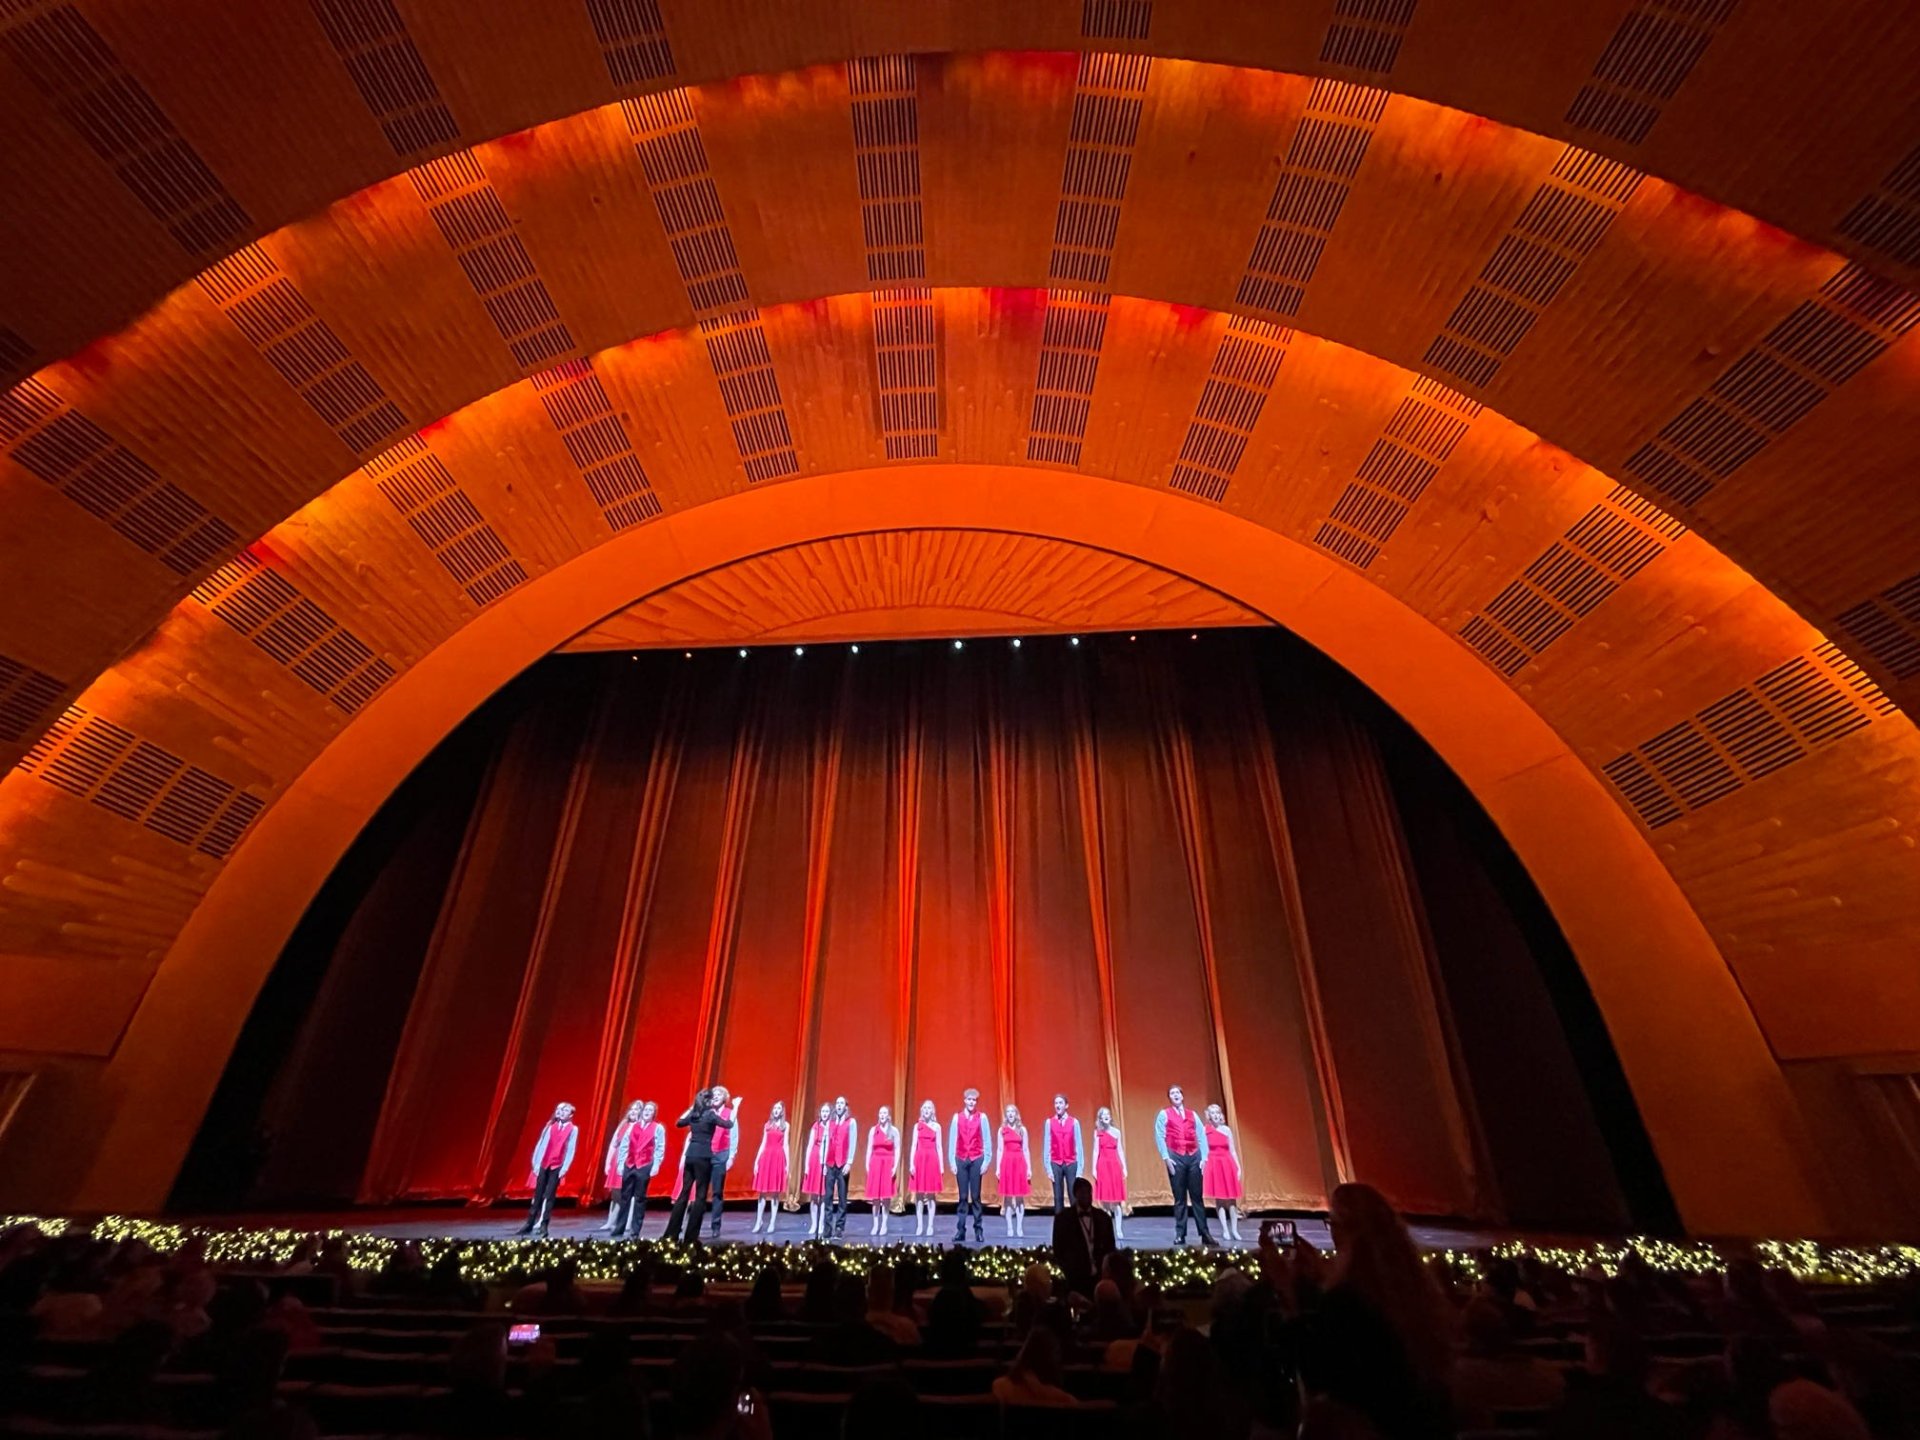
(1769, 389)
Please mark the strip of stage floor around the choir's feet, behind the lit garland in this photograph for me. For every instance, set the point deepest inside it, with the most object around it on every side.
(500, 1224)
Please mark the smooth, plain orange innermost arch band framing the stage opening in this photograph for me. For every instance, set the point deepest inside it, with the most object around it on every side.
(1710, 1092)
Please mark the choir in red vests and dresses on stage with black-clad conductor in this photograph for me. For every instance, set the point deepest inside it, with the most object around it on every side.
(1197, 1149)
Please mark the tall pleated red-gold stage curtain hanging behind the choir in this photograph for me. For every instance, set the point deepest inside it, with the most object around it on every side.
(913, 871)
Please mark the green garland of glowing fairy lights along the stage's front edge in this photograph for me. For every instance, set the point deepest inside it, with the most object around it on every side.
(510, 1260)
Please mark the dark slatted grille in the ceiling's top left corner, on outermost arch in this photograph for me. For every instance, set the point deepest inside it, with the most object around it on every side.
(78, 72)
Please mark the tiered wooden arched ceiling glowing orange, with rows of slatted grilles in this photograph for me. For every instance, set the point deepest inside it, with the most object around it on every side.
(1583, 333)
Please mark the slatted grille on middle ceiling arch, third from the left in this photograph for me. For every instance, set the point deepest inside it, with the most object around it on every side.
(281, 325)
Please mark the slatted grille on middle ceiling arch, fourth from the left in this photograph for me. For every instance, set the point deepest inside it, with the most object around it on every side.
(477, 228)
